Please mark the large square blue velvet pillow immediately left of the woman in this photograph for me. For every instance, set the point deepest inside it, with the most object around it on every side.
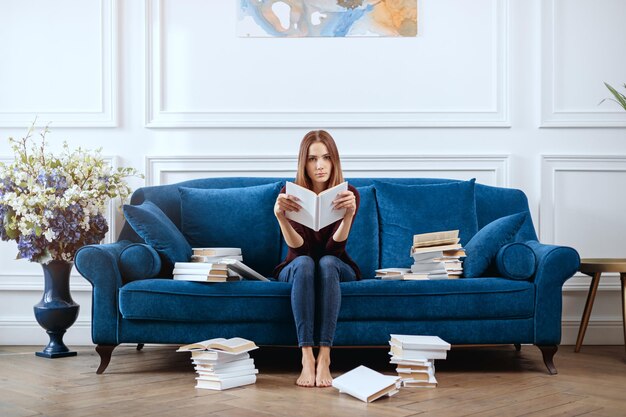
(234, 217)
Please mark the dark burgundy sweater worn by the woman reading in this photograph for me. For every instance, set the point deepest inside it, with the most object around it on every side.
(318, 244)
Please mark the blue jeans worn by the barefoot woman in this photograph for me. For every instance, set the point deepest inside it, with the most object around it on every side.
(301, 272)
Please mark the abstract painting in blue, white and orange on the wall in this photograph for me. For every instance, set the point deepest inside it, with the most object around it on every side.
(327, 18)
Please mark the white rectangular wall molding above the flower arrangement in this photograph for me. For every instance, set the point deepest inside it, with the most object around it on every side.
(105, 115)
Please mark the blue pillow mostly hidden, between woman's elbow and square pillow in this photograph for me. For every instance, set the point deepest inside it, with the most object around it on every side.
(362, 244)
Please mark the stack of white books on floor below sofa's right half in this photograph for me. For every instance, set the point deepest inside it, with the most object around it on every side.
(414, 357)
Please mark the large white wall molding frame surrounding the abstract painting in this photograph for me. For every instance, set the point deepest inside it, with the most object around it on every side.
(496, 114)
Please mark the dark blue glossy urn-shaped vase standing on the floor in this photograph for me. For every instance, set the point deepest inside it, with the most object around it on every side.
(56, 311)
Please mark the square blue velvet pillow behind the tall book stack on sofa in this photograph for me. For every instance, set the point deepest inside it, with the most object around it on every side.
(407, 210)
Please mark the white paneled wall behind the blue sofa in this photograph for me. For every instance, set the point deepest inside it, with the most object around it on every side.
(504, 91)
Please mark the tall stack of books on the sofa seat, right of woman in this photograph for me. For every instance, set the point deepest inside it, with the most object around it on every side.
(436, 256)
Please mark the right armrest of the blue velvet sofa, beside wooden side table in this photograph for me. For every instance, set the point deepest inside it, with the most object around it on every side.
(555, 265)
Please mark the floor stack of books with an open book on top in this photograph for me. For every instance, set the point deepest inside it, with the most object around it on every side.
(222, 363)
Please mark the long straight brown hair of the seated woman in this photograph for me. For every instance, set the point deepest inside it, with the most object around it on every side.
(336, 175)
